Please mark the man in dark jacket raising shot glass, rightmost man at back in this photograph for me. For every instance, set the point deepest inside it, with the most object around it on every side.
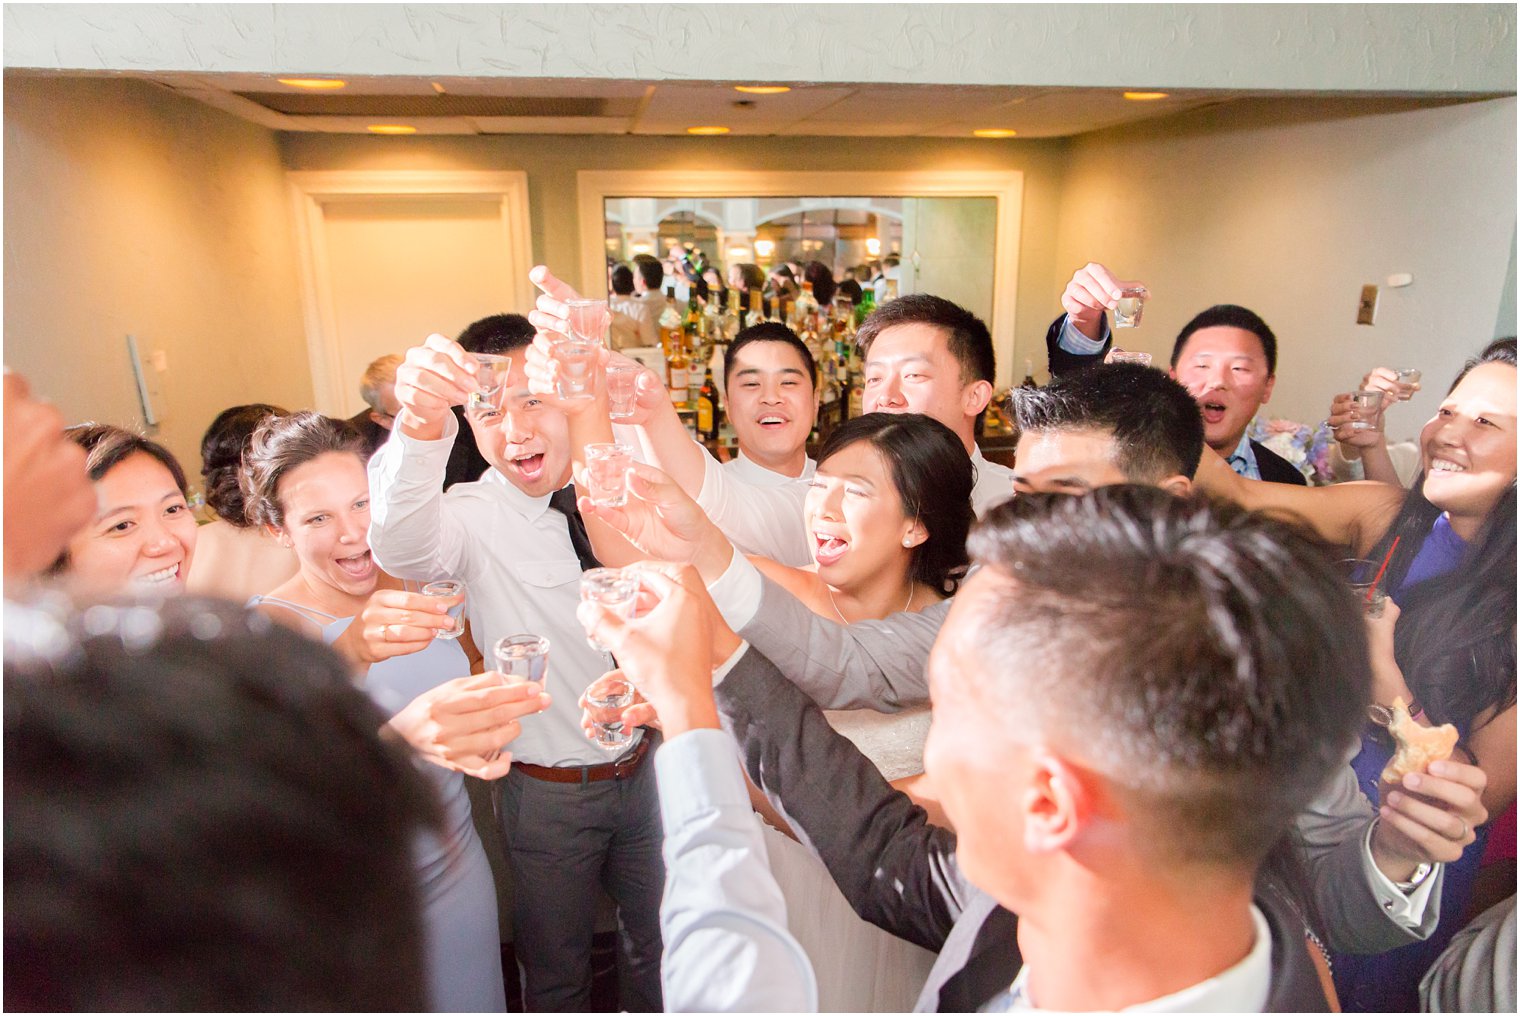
(1226, 358)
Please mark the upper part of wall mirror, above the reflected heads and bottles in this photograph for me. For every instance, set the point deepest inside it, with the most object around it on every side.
(945, 246)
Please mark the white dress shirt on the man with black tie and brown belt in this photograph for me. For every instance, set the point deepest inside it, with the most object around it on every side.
(521, 570)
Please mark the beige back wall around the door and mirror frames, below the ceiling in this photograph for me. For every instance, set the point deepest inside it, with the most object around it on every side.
(551, 164)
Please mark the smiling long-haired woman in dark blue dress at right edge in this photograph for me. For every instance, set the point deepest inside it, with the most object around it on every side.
(1446, 644)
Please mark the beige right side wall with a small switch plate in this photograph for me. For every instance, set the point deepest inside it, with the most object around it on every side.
(1291, 218)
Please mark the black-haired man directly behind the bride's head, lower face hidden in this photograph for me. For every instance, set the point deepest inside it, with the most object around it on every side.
(928, 355)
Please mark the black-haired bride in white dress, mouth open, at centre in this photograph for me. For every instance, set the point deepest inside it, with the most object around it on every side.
(888, 515)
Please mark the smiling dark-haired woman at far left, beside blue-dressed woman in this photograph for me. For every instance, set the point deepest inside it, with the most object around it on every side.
(144, 535)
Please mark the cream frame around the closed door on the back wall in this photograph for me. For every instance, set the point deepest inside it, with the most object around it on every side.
(311, 191)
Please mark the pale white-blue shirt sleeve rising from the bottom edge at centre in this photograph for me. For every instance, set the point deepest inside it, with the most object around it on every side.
(727, 948)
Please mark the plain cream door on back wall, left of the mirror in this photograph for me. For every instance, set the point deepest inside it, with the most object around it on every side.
(404, 268)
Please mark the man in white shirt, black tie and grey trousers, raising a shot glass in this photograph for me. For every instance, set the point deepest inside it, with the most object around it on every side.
(575, 819)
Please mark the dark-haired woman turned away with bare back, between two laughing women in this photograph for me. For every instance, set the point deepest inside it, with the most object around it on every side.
(235, 559)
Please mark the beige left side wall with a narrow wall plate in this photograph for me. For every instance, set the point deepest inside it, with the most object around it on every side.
(131, 211)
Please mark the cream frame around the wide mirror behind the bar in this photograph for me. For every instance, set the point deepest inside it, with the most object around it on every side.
(1007, 188)
